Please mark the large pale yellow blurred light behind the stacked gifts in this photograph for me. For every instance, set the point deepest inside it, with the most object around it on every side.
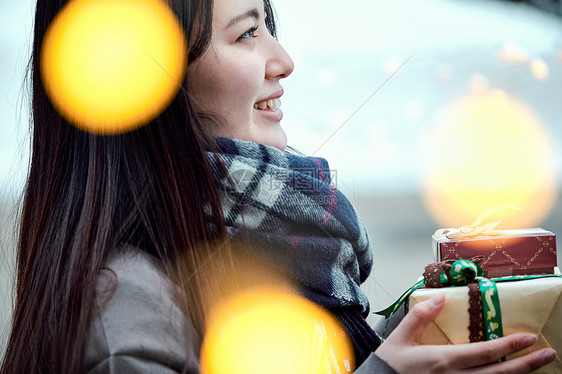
(488, 149)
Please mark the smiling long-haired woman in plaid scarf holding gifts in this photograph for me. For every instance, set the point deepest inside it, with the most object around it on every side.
(122, 243)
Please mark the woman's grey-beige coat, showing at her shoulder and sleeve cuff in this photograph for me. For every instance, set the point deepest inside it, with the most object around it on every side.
(140, 329)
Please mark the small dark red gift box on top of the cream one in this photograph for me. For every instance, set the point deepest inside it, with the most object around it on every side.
(506, 252)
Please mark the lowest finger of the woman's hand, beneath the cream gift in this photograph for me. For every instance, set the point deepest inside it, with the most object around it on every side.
(520, 365)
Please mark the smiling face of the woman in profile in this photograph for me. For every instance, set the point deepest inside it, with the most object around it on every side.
(238, 76)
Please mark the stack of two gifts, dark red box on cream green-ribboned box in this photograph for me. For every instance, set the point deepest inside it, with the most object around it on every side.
(529, 287)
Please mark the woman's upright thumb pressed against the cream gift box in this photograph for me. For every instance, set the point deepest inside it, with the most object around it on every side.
(413, 324)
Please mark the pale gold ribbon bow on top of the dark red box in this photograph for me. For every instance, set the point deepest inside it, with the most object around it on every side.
(477, 228)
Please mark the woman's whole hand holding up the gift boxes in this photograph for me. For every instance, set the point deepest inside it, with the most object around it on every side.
(402, 352)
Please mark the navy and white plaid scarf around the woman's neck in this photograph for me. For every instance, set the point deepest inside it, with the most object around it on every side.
(290, 210)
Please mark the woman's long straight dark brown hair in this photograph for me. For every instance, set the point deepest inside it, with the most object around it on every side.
(86, 195)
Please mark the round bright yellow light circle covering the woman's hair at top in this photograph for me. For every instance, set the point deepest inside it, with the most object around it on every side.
(110, 66)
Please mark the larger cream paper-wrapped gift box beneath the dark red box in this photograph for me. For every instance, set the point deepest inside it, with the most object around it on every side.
(533, 305)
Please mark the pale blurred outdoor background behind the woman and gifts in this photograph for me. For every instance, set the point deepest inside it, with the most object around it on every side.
(428, 112)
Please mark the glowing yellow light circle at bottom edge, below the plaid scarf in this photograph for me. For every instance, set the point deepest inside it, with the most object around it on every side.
(272, 330)
